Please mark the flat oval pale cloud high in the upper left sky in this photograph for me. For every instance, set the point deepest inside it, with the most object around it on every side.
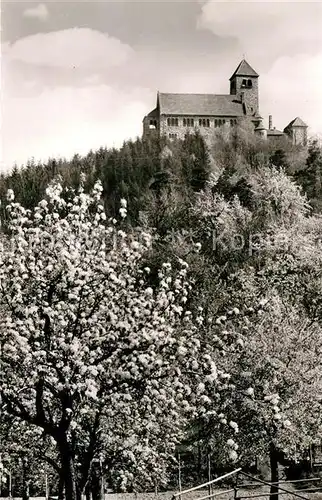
(76, 47)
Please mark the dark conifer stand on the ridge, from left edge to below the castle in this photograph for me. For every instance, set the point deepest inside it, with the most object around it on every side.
(139, 170)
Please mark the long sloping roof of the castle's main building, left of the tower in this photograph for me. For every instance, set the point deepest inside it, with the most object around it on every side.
(199, 104)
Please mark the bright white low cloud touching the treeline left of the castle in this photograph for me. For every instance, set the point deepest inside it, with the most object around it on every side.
(63, 121)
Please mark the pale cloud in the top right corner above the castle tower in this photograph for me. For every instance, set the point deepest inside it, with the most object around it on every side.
(262, 28)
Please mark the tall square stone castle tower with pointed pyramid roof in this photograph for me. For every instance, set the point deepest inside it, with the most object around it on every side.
(244, 85)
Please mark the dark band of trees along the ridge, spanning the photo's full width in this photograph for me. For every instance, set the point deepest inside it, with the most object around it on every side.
(143, 171)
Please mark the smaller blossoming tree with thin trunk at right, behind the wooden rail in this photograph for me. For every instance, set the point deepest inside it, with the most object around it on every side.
(275, 396)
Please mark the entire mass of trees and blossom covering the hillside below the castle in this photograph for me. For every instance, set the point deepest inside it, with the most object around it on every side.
(127, 338)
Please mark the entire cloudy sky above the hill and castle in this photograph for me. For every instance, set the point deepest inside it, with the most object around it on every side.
(80, 75)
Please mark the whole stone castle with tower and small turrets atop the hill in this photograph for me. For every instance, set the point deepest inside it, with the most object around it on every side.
(177, 114)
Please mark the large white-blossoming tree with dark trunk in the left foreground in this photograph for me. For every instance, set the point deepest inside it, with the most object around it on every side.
(84, 341)
